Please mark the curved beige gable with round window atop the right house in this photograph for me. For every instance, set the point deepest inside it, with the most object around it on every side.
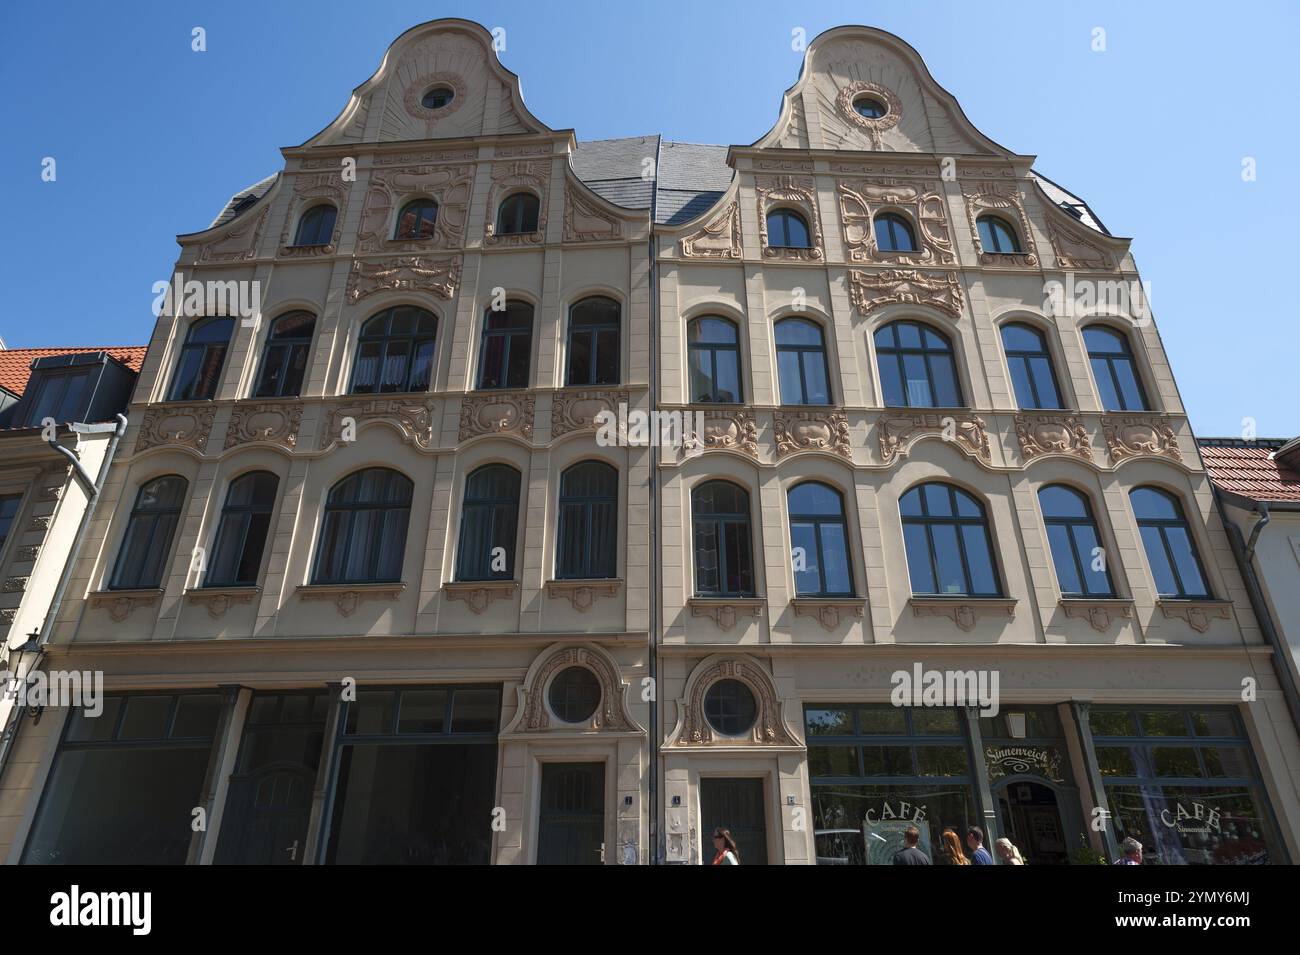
(851, 62)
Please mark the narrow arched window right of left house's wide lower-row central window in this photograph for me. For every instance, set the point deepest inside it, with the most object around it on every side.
(488, 526)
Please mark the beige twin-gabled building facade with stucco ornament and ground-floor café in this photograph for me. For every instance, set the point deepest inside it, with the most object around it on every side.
(375, 583)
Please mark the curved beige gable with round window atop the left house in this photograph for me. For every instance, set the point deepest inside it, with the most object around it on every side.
(457, 54)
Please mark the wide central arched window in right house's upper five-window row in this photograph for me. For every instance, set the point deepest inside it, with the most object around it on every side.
(917, 367)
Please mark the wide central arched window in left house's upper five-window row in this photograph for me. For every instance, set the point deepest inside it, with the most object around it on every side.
(395, 353)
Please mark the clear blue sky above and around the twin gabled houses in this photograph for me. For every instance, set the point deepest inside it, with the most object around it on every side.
(153, 138)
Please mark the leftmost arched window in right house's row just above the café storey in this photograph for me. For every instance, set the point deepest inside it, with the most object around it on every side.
(725, 563)
